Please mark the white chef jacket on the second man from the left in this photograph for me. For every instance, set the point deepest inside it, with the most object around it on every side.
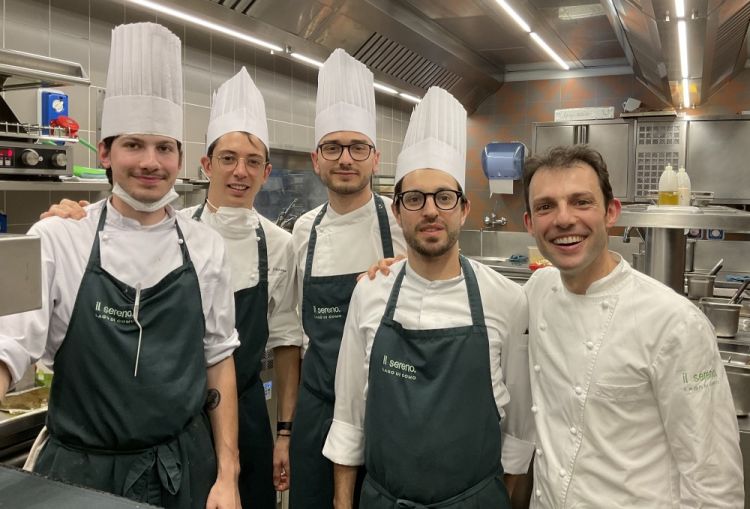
(241, 243)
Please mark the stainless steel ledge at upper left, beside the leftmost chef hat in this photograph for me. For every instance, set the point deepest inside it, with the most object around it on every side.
(20, 70)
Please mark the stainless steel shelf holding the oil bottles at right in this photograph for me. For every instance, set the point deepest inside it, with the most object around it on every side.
(725, 218)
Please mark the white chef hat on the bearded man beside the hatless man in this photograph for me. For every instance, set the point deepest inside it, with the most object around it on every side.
(436, 137)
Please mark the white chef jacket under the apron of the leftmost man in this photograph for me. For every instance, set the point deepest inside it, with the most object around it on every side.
(132, 253)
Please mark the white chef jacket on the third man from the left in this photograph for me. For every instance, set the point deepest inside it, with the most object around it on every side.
(346, 243)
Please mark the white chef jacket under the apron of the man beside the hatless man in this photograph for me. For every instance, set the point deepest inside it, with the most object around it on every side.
(424, 304)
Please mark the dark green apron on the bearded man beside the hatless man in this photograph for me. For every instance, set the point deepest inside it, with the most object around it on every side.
(432, 429)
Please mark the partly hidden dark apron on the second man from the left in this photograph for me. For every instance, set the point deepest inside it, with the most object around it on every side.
(255, 436)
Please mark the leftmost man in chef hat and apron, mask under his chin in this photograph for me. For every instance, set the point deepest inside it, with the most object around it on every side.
(137, 312)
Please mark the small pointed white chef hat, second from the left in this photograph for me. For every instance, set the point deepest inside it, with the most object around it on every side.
(238, 106)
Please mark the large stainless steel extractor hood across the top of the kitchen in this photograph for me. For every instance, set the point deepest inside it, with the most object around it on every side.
(470, 47)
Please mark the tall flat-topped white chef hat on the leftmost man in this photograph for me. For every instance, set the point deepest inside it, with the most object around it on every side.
(144, 82)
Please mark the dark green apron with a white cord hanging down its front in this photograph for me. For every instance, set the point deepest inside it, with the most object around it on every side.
(144, 437)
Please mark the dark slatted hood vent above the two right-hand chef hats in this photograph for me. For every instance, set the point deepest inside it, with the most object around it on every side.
(387, 56)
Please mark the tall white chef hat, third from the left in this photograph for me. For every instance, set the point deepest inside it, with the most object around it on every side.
(346, 97)
